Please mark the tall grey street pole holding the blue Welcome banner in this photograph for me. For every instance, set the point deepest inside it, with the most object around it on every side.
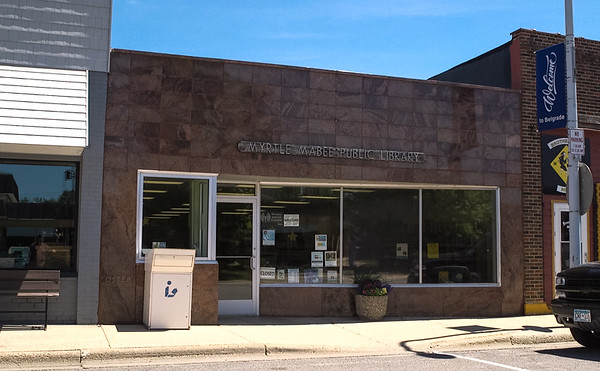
(573, 167)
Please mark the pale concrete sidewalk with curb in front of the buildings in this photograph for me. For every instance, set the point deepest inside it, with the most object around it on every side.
(261, 336)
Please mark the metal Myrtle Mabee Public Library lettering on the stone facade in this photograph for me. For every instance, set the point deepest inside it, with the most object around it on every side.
(331, 152)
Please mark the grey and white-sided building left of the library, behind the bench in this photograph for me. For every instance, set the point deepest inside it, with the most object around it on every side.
(54, 61)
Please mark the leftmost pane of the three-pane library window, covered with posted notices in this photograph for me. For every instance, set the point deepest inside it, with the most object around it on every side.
(300, 235)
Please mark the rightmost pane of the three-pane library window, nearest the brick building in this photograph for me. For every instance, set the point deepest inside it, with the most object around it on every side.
(459, 236)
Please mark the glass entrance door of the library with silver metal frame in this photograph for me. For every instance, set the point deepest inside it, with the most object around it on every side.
(236, 255)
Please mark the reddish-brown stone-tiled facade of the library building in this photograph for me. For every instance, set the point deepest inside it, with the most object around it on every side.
(177, 115)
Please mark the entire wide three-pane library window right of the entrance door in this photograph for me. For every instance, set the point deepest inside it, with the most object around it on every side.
(408, 236)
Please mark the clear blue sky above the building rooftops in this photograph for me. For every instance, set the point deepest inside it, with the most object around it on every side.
(402, 38)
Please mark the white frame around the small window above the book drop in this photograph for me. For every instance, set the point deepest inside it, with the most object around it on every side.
(212, 209)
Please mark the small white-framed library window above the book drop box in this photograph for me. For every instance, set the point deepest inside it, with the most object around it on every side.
(175, 212)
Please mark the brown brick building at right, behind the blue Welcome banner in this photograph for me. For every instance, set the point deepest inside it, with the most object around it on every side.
(512, 65)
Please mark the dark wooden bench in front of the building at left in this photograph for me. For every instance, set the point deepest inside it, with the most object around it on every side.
(30, 284)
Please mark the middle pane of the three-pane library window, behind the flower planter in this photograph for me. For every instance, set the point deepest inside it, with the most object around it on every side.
(381, 233)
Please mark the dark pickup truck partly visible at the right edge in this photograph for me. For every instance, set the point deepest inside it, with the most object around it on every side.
(577, 304)
